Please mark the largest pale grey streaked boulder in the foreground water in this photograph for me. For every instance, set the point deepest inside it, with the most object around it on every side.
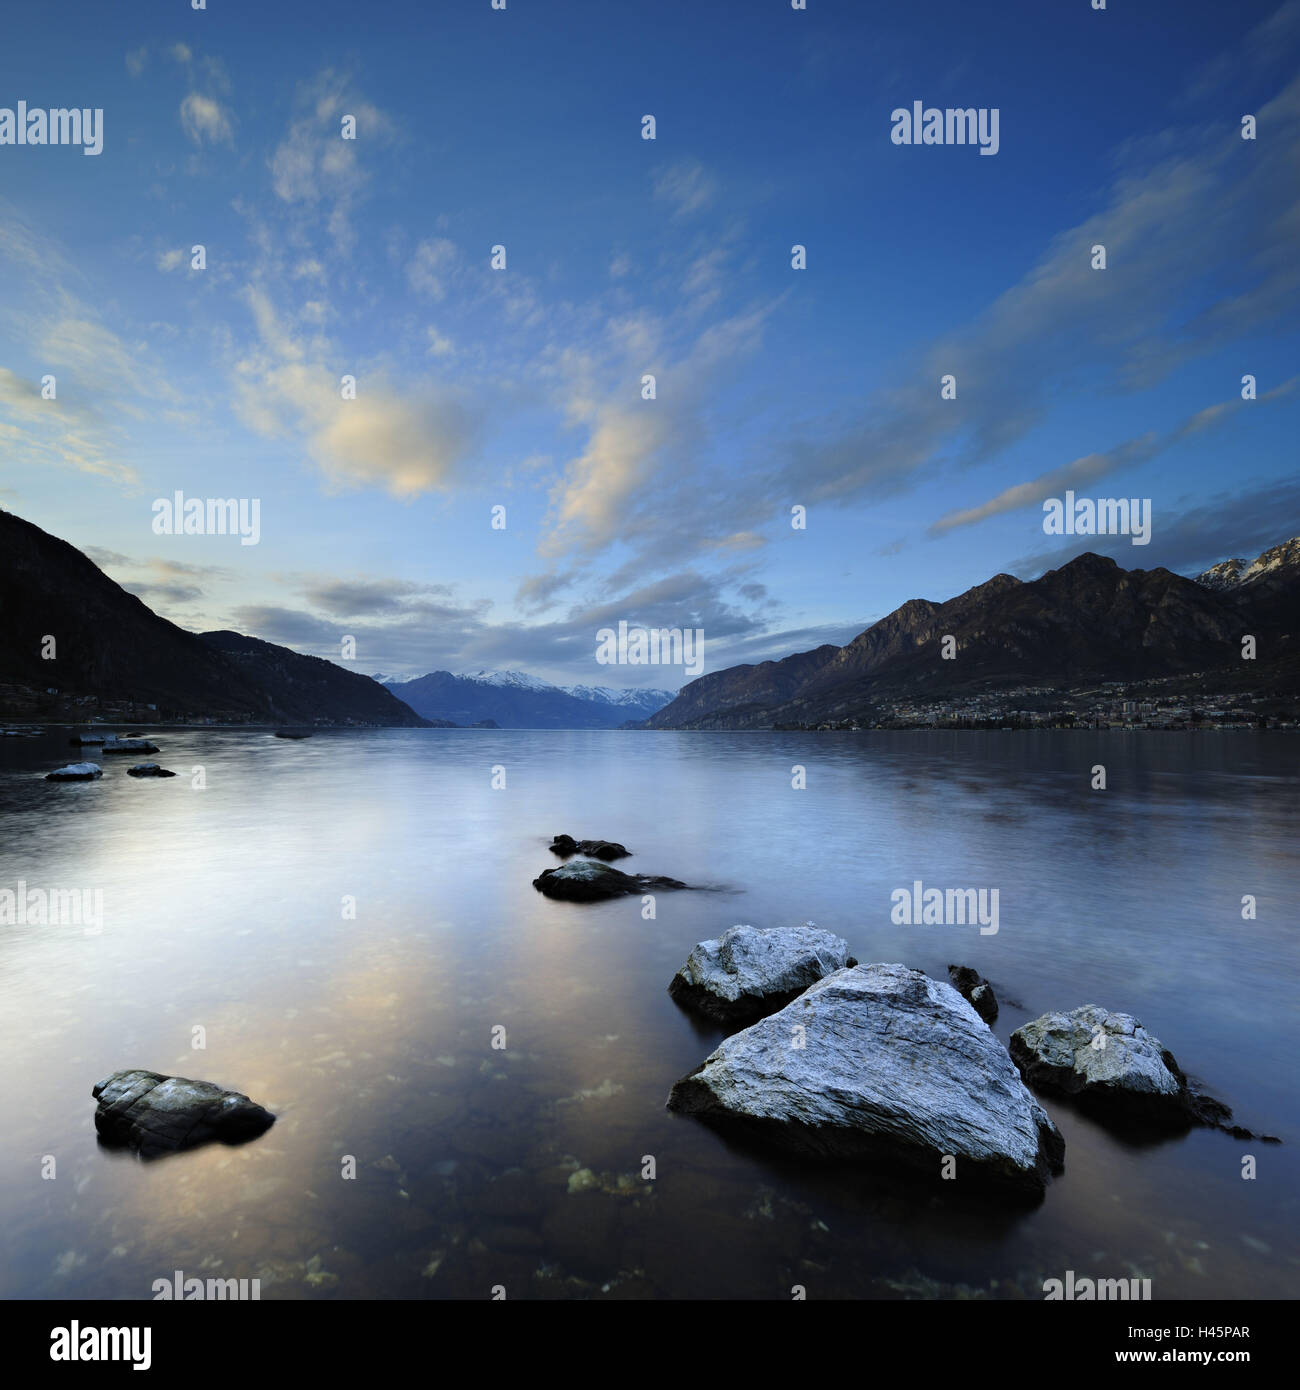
(893, 1067)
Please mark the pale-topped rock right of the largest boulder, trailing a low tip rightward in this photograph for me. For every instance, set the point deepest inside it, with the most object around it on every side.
(1107, 1061)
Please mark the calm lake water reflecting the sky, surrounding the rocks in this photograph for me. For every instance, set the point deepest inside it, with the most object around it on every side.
(522, 1167)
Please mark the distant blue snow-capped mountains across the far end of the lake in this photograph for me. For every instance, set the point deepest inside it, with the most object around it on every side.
(517, 700)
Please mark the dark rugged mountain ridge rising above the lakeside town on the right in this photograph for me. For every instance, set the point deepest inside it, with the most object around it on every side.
(1087, 622)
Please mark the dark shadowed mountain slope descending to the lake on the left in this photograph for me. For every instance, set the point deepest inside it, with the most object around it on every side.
(115, 658)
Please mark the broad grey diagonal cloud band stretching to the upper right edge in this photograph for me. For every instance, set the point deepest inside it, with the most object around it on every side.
(1210, 216)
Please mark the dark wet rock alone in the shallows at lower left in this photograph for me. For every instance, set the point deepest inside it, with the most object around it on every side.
(156, 1114)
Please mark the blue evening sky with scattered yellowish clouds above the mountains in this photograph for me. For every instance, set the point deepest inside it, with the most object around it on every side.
(522, 387)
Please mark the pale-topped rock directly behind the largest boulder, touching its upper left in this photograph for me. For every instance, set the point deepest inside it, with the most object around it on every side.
(750, 972)
